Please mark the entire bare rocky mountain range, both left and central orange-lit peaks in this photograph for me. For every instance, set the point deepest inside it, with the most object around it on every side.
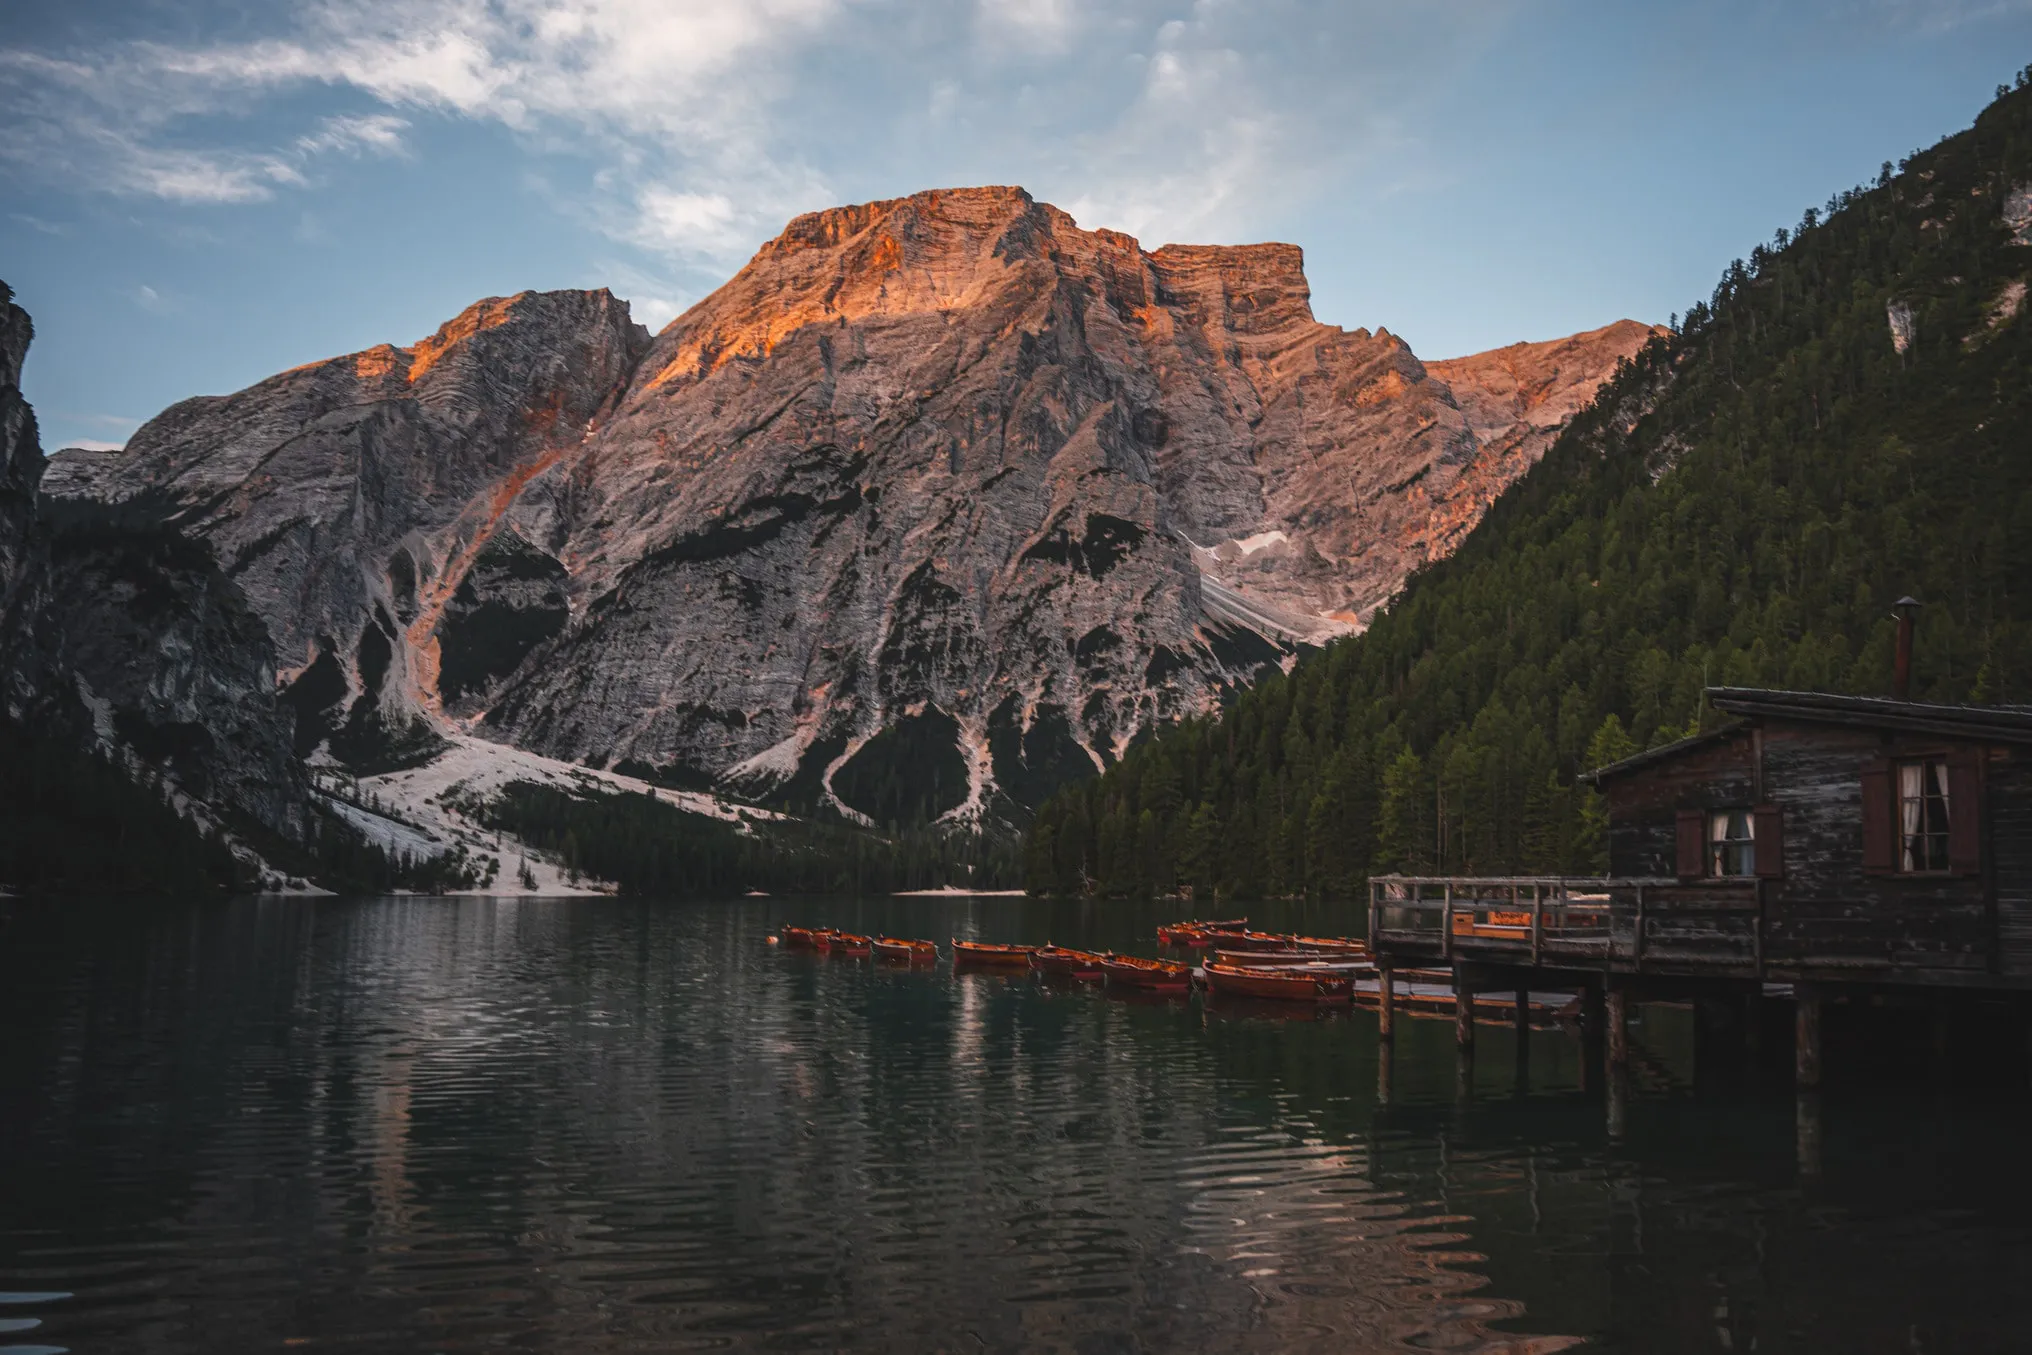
(938, 505)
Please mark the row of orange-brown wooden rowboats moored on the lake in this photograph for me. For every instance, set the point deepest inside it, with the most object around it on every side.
(1241, 962)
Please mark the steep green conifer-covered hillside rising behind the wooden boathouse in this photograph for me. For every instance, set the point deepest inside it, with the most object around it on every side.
(1842, 424)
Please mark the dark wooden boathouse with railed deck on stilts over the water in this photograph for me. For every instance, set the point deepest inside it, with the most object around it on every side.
(1828, 848)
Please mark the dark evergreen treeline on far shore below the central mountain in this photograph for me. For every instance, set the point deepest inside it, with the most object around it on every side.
(649, 846)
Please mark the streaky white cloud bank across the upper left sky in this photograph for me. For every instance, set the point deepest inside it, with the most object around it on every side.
(674, 94)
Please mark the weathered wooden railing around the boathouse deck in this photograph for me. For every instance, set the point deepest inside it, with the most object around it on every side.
(1562, 919)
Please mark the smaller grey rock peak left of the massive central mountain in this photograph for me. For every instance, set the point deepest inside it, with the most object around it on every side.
(351, 501)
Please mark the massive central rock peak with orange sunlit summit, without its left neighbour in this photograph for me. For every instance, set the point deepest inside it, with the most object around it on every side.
(952, 485)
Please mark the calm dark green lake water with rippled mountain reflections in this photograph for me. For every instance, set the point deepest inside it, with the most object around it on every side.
(633, 1126)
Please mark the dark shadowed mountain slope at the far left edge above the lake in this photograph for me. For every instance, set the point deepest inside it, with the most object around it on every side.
(133, 684)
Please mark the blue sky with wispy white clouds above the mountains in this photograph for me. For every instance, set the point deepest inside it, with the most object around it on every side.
(198, 194)
